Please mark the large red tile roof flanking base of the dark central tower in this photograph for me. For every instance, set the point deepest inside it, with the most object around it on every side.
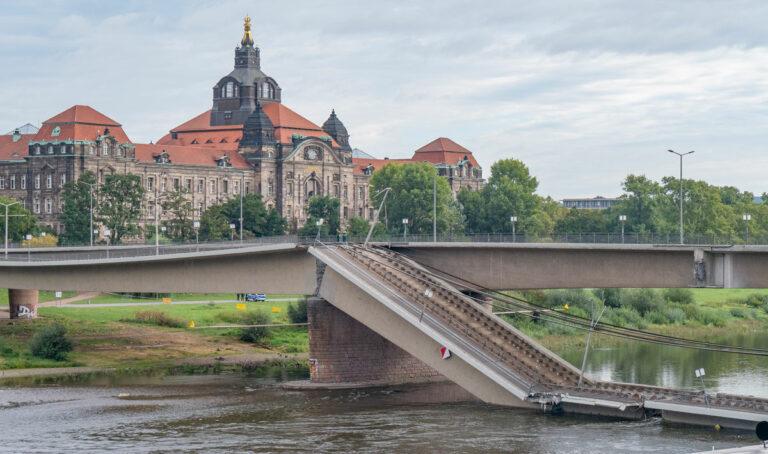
(286, 123)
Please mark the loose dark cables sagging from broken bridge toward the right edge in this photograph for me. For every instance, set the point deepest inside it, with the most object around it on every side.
(577, 322)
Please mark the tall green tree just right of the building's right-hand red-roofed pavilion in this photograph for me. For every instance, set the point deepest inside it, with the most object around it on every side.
(510, 191)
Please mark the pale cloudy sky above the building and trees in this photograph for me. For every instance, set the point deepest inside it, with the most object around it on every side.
(584, 92)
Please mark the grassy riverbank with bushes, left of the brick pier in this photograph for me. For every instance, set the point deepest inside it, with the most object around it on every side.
(137, 337)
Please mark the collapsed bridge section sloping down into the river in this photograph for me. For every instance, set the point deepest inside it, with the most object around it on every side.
(419, 312)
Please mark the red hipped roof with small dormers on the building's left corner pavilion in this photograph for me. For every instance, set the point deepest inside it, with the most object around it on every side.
(80, 123)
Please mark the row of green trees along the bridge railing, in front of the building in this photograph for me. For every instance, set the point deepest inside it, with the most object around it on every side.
(650, 207)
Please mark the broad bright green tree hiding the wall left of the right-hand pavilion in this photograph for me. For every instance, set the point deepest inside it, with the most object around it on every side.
(411, 197)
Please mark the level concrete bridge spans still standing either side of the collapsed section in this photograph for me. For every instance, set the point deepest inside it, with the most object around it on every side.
(281, 265)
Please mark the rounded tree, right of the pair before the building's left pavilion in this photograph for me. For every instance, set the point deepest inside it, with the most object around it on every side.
(120, 205)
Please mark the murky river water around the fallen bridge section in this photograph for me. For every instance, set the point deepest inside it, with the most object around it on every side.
(236, 413)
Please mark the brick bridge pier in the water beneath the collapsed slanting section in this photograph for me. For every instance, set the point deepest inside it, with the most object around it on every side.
(344, 351)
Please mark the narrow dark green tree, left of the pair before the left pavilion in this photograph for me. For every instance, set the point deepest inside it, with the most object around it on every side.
(76, 214)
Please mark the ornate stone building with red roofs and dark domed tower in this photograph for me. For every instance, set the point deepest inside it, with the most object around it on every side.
(249, 141)
